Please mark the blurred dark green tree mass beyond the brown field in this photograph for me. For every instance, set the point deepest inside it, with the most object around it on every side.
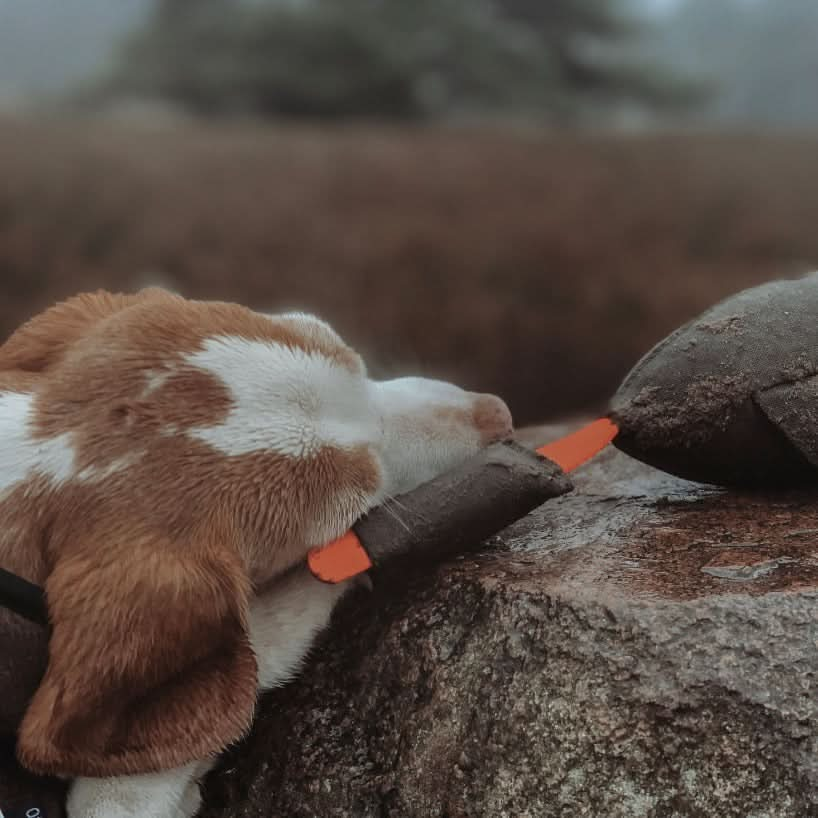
(393, 58)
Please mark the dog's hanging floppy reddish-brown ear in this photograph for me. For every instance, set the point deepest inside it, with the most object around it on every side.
(150, 663)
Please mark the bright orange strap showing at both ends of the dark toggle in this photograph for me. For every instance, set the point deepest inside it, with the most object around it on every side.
(346, 557)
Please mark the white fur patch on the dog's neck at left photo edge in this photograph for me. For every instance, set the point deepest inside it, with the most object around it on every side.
(22, 455)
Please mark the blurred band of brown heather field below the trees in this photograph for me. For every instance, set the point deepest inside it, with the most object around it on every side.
(534, 266)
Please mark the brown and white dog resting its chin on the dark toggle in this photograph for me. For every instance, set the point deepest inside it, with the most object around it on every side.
(165, 465)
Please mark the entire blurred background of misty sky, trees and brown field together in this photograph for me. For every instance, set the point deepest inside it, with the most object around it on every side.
(523, 202)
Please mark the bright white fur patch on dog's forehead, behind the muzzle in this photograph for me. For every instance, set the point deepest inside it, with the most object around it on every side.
(285, 400)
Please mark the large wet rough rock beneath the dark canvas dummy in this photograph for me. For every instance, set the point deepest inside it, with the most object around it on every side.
(642, 647)
